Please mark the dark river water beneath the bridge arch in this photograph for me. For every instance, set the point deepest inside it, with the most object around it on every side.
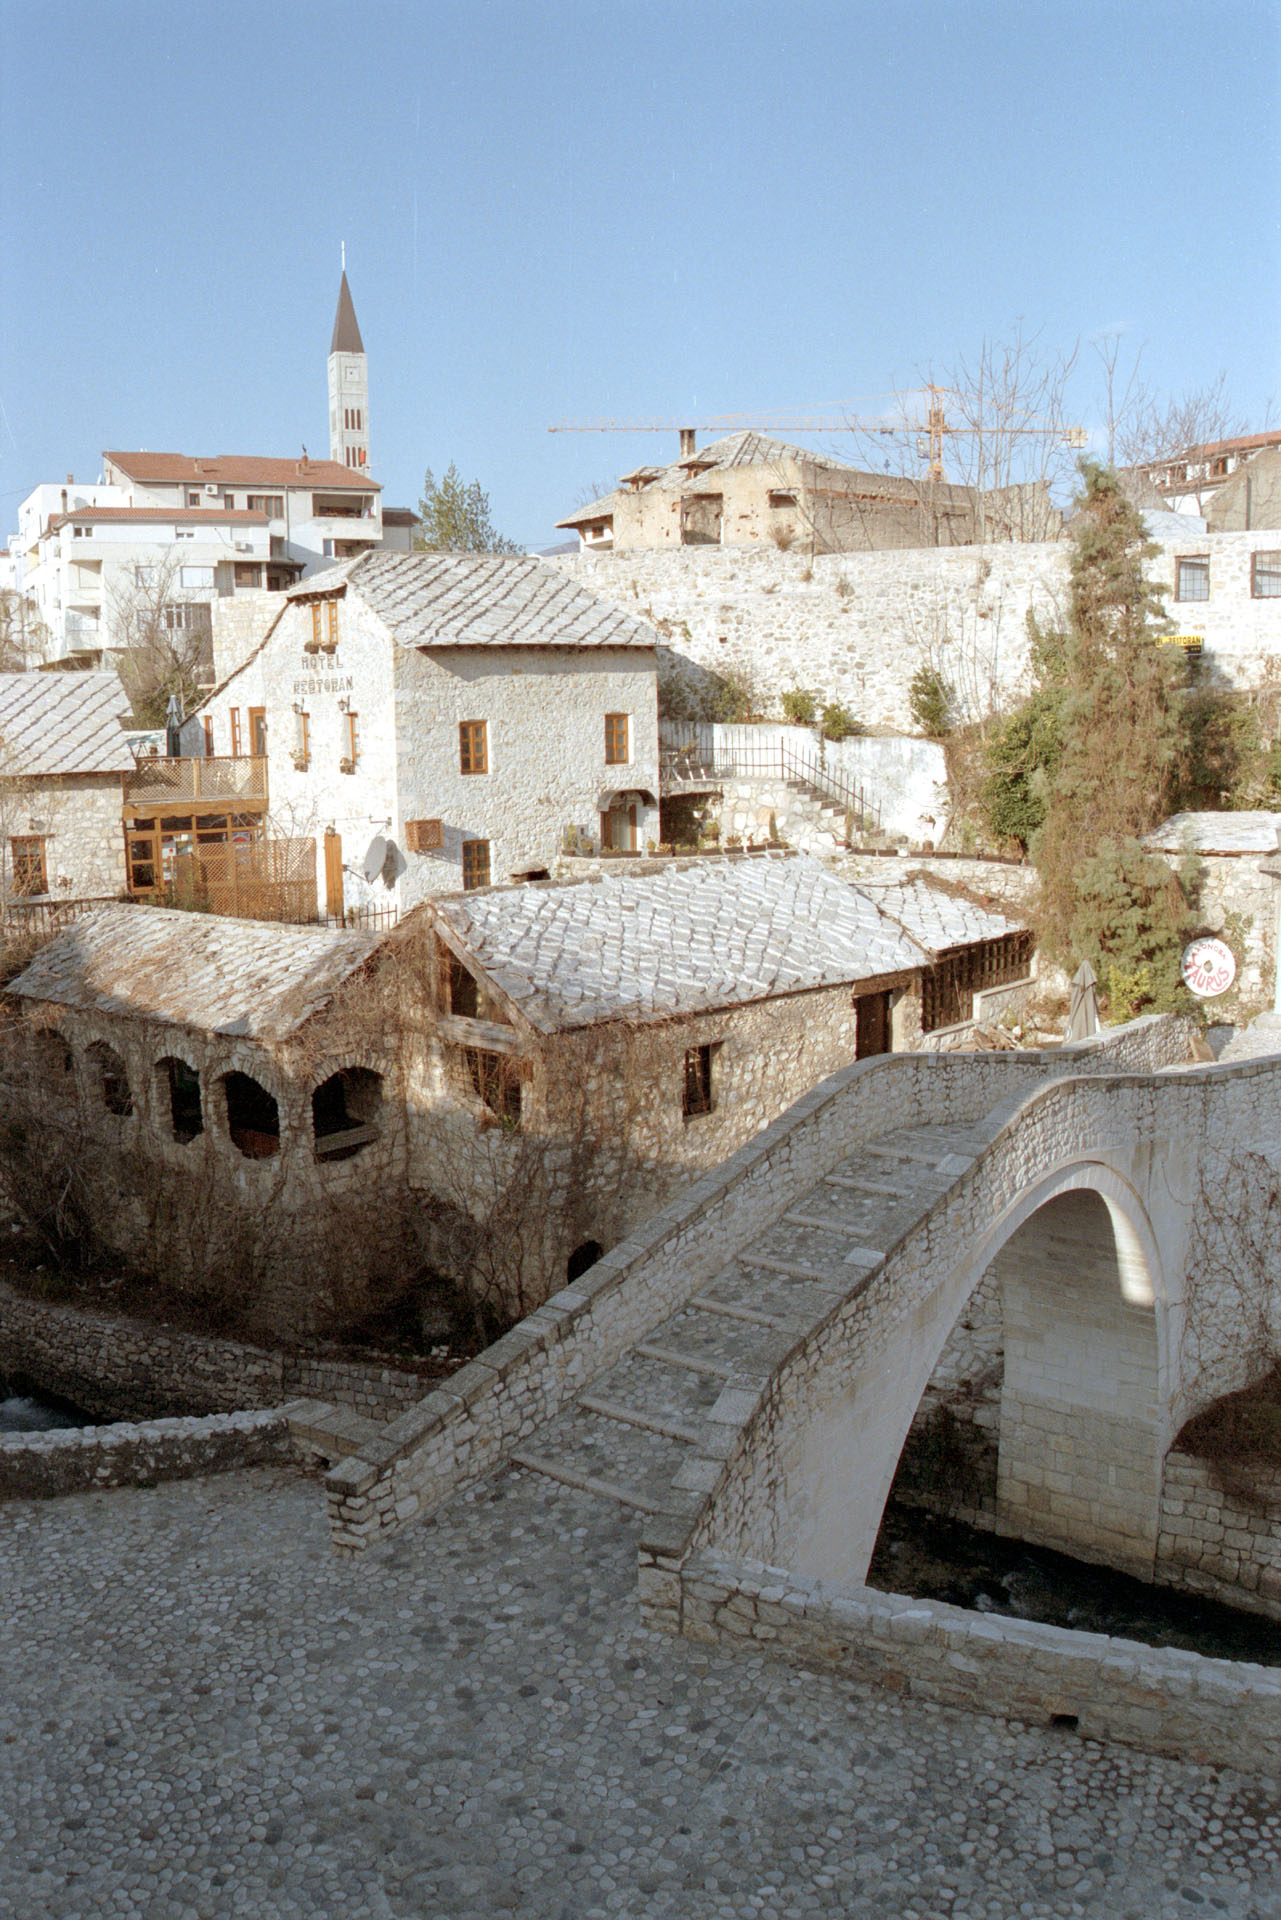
(942, 1560)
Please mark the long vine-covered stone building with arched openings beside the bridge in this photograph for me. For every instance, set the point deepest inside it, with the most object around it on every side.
(473, 1105)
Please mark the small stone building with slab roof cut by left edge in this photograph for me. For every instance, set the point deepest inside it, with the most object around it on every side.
(62, 757)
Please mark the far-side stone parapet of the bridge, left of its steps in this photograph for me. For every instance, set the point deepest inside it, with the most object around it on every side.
(525, 1380)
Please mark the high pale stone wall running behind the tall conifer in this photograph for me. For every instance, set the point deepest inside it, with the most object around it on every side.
(856, 627)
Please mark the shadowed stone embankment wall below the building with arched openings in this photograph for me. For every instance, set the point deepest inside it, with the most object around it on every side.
(139, 1370)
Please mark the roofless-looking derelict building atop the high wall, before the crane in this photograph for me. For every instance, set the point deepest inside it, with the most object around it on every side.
(748, 491)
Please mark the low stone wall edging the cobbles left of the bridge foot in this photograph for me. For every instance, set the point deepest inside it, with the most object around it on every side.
(78, 1460)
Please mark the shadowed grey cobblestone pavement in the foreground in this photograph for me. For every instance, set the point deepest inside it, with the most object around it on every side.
(208, 1716)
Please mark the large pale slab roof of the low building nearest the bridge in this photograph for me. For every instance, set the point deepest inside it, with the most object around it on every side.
(689, 938)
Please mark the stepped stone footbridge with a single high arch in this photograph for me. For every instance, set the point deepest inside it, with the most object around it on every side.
(746, 1370)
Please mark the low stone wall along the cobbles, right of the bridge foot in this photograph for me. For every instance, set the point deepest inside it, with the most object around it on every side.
(1161, 1700)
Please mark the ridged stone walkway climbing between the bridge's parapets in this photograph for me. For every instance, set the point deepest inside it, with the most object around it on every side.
(633, 1431)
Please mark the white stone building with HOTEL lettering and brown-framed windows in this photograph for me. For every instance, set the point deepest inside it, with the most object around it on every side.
(441, 721)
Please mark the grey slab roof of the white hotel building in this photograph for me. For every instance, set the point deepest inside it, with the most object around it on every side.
(481, 600)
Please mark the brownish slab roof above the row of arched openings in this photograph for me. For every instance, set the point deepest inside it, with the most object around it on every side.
(195, 971)
